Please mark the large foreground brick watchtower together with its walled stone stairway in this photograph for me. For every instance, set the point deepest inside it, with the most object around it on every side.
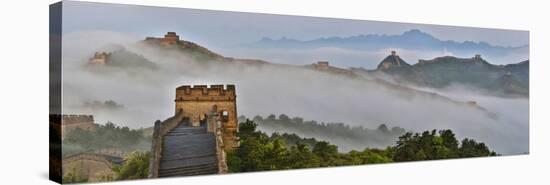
(194, 140)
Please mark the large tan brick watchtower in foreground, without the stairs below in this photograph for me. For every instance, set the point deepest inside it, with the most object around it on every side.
(200, 101)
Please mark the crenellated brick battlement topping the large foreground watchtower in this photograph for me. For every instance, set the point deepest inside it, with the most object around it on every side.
(205, 93)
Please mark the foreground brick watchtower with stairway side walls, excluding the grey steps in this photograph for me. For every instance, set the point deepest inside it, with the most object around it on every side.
(214, 106)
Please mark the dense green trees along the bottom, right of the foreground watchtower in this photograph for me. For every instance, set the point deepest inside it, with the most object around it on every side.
(259, 152)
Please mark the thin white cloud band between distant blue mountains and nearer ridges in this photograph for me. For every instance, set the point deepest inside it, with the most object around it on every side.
(344, 57)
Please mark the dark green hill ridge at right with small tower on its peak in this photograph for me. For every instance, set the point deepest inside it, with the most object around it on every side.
(511, 79)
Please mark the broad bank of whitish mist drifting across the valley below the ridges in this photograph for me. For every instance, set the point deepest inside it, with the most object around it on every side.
(138, 85)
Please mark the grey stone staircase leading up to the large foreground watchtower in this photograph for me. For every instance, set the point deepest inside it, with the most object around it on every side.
(188, 151)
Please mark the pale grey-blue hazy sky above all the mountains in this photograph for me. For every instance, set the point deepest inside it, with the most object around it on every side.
(218, 29)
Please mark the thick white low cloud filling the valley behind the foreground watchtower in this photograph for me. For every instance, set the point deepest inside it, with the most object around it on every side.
(295, 91)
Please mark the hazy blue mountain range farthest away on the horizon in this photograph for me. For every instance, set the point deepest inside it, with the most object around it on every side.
(413, 39)
